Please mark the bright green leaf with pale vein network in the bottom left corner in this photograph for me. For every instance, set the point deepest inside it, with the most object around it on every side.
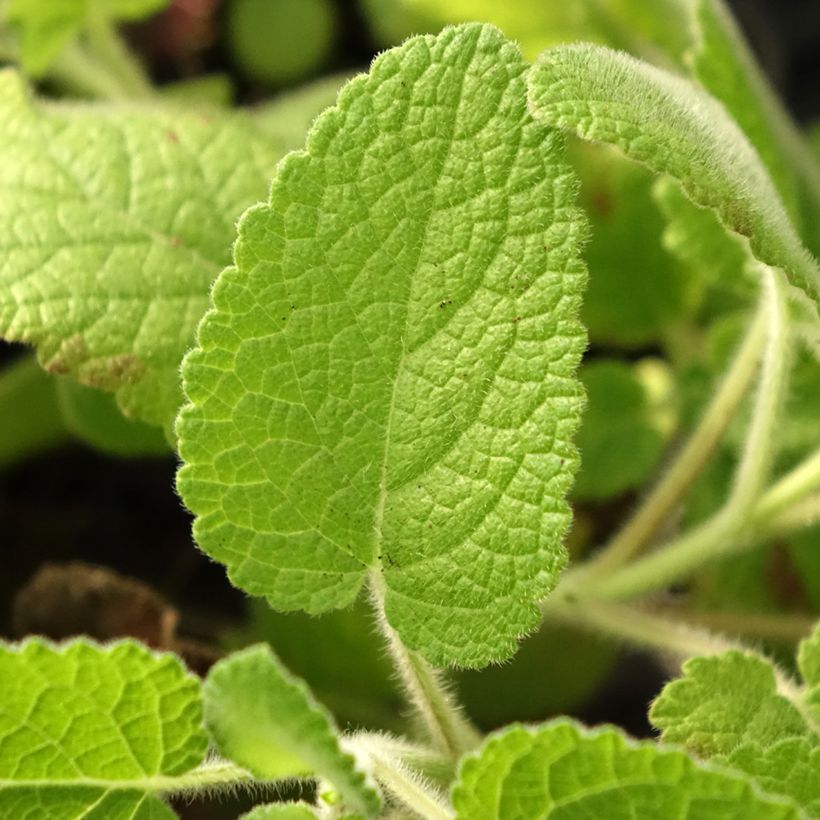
(89, 731)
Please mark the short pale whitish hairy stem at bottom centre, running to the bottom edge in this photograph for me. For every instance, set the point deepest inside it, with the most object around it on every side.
(405, 785)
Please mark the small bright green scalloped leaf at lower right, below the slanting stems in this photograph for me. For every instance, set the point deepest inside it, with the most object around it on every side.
(724, 701)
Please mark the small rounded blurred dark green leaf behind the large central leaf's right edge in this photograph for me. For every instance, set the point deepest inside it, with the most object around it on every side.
(619, 443)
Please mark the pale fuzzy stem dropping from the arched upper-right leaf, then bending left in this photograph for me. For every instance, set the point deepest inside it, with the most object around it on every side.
(730, 529)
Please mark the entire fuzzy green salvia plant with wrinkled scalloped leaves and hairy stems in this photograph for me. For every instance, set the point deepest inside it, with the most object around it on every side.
(371, 371)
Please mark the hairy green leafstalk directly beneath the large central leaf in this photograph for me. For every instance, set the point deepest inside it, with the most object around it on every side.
(449, 730)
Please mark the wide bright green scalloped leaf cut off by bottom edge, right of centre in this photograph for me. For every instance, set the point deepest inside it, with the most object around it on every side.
(563, 771)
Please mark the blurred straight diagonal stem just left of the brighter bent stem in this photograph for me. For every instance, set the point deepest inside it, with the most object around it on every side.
(687, 465)
